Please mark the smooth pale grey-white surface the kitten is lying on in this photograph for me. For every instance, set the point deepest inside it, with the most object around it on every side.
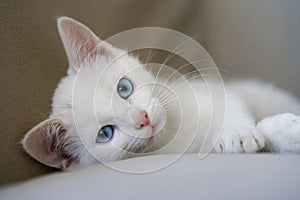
(260, 176)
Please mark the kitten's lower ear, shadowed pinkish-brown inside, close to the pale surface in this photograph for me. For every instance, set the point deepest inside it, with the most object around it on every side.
(46, 143)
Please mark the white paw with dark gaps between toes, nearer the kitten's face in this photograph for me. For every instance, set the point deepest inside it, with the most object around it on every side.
(247, 140)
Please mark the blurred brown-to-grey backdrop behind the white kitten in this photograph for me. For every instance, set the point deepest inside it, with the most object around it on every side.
(257, 38)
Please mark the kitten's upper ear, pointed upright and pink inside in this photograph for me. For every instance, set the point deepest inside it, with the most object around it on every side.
(79, 41)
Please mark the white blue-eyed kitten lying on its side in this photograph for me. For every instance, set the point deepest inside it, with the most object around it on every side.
(110, 107)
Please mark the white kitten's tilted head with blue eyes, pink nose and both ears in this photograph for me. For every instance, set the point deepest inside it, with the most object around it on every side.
(104, 110)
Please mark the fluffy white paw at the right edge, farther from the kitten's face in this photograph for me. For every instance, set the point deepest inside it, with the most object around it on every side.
(282, 132)
